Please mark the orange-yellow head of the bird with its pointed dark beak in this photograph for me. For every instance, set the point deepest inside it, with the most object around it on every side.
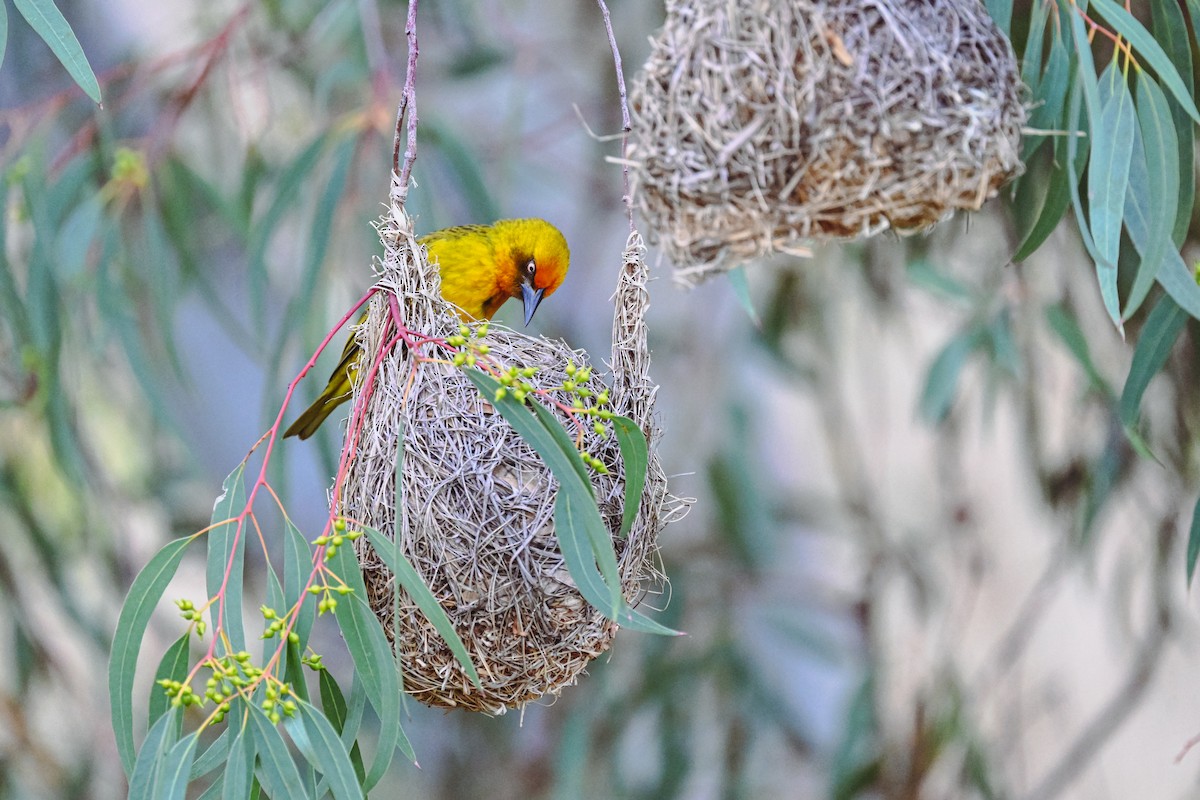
(538, 261)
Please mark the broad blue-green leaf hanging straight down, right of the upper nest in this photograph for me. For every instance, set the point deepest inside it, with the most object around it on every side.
(1113, 135)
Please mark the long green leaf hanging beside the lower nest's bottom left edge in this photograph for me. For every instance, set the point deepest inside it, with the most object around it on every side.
(374, 663)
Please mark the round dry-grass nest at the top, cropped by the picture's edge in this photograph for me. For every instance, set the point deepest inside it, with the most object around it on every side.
(761, 124)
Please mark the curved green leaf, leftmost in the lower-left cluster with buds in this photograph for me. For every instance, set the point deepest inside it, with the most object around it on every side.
(131, 627)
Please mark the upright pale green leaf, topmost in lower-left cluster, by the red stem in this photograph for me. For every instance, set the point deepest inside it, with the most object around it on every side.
(227, 558)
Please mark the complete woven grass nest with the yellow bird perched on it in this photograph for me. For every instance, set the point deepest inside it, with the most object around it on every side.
(478, 502)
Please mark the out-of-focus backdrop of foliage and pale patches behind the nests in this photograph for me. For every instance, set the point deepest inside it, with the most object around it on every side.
(923, 561)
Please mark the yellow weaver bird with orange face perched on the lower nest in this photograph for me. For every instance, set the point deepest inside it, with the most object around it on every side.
(482, 267)
